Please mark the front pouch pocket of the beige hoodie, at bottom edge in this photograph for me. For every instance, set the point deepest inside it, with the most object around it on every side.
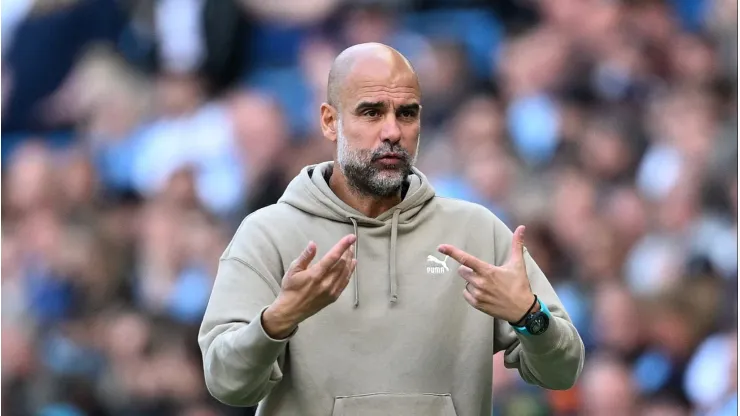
(391, 404)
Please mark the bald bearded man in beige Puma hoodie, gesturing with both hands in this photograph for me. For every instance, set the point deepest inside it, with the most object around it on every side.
(283, 330)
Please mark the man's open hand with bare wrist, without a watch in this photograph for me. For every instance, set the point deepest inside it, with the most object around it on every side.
(308, 289)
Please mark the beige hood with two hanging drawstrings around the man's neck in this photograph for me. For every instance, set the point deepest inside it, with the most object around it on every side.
(310, 193)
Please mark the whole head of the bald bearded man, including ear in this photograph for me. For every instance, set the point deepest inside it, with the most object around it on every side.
(373, 114)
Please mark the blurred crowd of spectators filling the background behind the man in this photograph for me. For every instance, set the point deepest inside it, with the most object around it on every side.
(136, 134)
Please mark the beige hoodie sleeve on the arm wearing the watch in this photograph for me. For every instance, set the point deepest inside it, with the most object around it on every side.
(553, 360)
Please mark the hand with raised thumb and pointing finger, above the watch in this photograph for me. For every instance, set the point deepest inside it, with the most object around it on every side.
(502, 292)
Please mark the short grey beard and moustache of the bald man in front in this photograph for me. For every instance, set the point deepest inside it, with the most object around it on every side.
(363, 176)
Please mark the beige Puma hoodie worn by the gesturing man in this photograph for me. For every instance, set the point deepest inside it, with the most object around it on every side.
(401, 339)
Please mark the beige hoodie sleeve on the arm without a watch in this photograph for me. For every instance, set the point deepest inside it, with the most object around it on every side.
(241, 362)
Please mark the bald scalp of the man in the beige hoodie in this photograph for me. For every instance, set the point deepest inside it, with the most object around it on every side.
(364, 59)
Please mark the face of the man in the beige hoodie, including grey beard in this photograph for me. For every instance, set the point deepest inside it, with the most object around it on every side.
(378, 131)
